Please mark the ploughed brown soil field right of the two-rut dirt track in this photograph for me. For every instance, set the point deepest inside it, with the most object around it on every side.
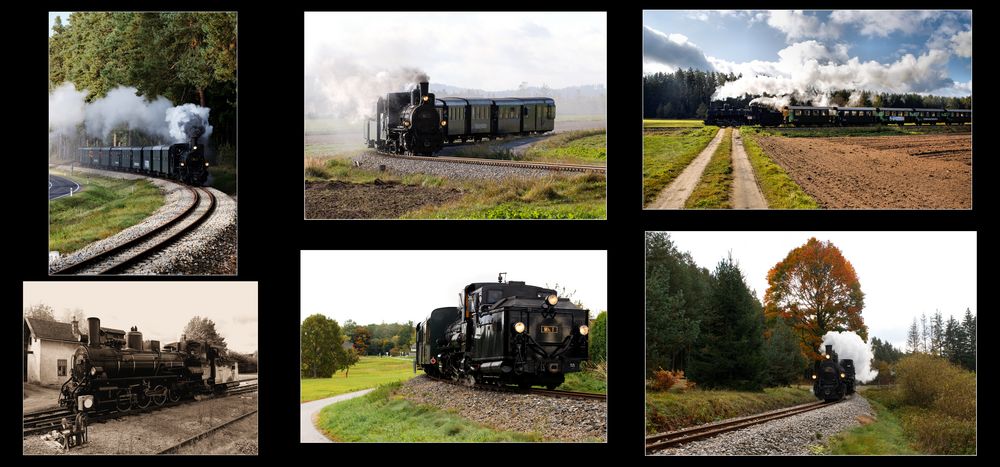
(884, 172)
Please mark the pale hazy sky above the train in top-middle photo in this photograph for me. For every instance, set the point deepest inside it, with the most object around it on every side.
(492, 51)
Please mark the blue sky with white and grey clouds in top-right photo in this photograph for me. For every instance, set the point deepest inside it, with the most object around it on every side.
(923, 51)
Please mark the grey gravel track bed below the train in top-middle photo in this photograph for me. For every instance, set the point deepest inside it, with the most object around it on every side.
(371, 160)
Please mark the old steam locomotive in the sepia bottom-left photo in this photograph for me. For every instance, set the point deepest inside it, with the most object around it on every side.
(123, 372)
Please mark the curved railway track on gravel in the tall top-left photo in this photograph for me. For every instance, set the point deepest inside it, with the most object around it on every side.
(119, 259)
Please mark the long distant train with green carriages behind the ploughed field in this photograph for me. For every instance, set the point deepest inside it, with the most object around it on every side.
(835, 116)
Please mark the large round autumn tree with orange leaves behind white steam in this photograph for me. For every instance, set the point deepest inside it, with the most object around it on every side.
(815, 290)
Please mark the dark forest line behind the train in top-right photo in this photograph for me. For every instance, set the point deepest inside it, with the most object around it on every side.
(688, 94)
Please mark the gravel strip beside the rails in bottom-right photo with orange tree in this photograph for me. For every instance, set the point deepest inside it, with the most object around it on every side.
(787, 436)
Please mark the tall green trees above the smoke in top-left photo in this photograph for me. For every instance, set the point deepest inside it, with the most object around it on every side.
(185, 57)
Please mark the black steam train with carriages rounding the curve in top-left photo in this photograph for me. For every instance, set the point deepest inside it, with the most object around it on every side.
(181, 161)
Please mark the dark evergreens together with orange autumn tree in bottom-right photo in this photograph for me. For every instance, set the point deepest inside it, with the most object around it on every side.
(712, 326)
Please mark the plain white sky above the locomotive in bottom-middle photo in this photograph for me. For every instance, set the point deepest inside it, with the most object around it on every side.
(397, 286)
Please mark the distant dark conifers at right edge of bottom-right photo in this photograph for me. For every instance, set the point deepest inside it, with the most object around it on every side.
(954, 340)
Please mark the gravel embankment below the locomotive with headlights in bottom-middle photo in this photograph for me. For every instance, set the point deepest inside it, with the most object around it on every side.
(562, 419)
